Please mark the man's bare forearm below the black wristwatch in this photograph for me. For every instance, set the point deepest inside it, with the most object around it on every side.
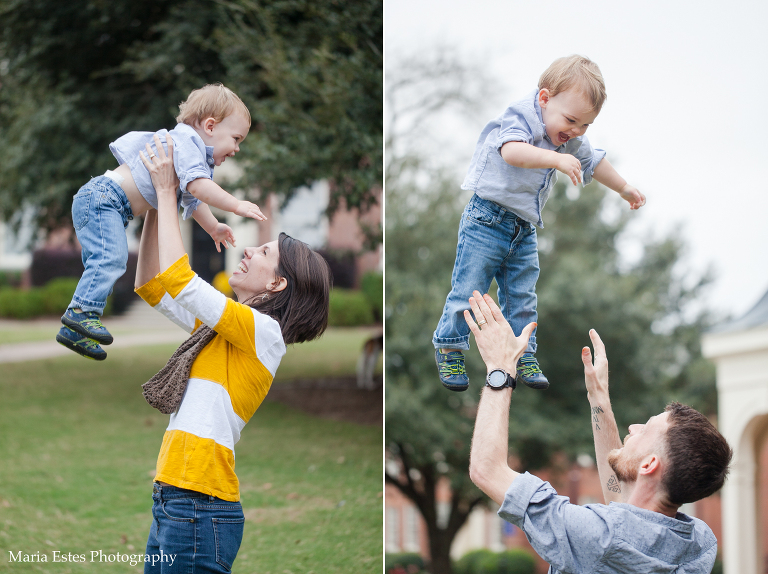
(488, 467)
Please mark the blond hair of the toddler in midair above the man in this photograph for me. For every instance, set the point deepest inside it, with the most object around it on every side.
(575, 72)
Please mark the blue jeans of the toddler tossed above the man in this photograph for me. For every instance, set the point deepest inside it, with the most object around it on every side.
(493, 242)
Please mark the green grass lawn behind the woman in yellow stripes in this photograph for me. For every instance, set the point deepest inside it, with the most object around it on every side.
(78, 446)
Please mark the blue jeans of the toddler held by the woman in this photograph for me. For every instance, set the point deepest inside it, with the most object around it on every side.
(100, 213)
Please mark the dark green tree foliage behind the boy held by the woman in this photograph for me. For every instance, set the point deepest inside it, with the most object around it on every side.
(76, 75)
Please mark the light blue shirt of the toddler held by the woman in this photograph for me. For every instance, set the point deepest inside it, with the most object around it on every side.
(191, 158)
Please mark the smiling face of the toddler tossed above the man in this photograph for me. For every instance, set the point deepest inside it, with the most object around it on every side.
(566, 115)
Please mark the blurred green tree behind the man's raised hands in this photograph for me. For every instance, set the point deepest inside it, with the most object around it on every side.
(640, 311)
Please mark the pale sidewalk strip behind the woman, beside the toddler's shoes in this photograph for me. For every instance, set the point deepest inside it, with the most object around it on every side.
(139, 326)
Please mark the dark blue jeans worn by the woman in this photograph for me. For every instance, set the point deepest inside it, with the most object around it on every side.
(192, 532)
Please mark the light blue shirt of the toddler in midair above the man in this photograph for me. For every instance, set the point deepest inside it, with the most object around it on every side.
(523, 191)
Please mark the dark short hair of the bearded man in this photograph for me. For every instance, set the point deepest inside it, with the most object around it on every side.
(697, 456)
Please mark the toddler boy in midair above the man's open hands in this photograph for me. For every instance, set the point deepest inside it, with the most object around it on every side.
(512, 172)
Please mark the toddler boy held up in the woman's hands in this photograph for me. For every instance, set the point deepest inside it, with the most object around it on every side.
(212, 123)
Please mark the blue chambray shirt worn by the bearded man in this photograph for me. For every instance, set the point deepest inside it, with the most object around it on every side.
(599, 539)
